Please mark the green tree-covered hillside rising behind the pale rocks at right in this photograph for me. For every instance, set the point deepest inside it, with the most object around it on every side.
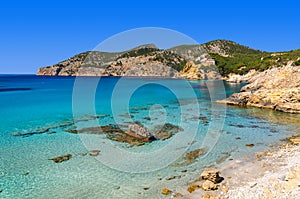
(235, 58)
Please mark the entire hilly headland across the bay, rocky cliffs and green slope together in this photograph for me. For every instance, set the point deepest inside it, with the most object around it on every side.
(203, 61)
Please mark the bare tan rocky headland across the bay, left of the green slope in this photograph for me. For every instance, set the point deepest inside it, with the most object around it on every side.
(187, 61)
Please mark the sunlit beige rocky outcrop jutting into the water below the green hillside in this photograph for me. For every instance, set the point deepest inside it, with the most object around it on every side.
(276, 88)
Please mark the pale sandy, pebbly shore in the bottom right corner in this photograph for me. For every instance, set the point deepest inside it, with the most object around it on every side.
(270, 174)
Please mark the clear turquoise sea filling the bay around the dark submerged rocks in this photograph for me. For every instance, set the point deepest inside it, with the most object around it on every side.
(37, 114)
